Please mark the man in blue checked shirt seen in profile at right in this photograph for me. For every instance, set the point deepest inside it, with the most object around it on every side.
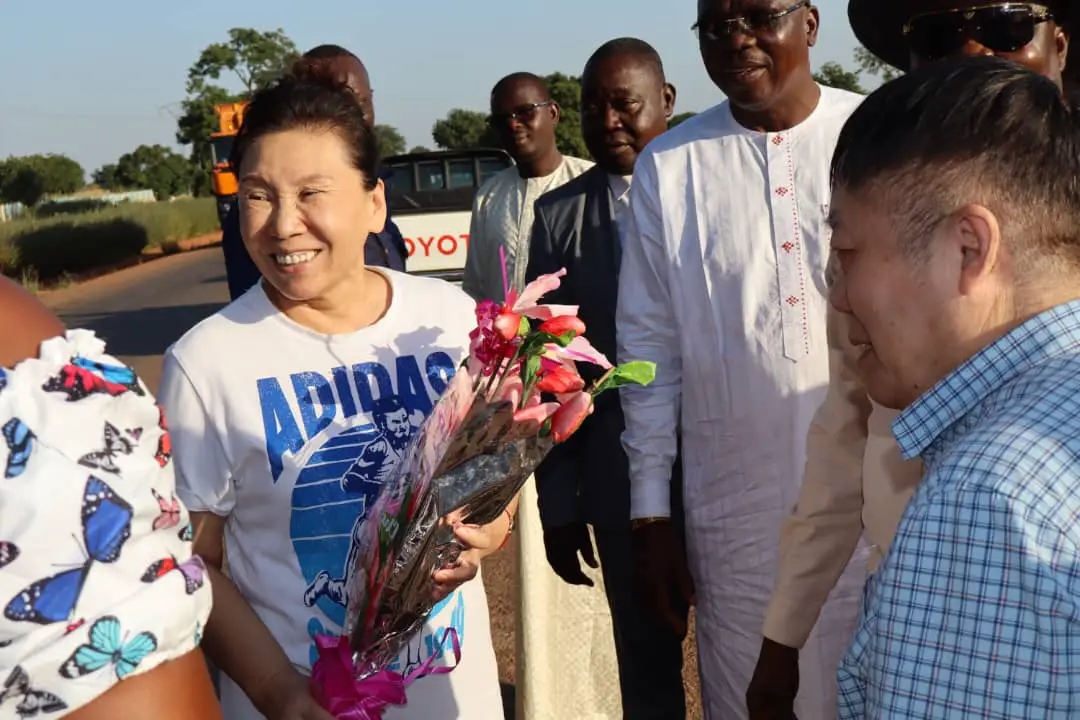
(956, 220)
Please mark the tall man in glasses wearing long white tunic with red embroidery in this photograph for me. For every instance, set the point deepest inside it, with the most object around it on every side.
(723, 287)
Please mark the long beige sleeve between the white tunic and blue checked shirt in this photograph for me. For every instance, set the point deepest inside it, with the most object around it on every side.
(819, 538)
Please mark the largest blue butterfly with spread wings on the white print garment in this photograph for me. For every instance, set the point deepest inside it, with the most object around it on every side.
(106, 527)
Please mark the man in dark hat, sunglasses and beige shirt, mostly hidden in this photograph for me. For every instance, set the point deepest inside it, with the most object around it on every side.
(856, 481)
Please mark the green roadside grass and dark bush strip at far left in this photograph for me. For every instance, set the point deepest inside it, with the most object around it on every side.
(79, 243)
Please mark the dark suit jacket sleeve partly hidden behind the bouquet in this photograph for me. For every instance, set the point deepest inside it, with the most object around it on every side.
(558, 477)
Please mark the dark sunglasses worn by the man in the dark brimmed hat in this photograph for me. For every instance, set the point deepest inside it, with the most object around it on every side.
(1003, 29)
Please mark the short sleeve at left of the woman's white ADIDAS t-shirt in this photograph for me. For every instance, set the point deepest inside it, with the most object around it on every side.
(204, 477)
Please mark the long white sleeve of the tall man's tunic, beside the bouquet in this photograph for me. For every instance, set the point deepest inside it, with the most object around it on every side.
(646, 331)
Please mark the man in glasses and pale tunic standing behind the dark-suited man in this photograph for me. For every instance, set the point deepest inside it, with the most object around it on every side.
(524, 119)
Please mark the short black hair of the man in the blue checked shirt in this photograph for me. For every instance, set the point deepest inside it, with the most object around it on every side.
(973, 130)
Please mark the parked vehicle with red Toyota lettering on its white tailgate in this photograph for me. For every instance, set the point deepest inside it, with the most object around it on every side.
(430, 197)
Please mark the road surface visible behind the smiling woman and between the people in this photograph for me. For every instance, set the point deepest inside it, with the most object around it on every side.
(141, 311)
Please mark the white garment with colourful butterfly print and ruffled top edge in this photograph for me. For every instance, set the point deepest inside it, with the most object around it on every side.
(98, 579)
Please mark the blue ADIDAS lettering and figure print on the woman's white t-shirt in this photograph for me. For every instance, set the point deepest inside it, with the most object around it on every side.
(352, 431)
